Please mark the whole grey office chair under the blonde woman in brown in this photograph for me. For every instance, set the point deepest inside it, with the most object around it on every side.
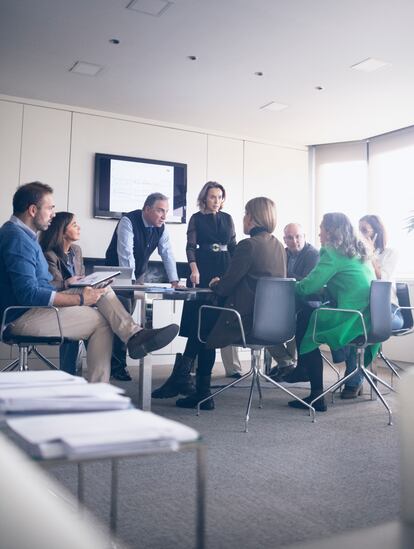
(274, 321)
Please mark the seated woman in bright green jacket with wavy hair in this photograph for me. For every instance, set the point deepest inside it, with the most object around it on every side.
(343, 269)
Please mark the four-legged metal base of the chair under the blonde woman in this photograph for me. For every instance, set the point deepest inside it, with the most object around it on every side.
(256, 373)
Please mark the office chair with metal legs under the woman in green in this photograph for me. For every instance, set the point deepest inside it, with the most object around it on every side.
(380, 313)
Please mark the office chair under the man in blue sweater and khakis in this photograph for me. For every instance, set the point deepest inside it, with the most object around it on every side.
(27, 344)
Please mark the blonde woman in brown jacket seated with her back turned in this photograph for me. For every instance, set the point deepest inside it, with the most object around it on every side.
(259, 255)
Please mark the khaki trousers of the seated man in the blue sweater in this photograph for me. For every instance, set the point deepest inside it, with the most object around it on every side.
(96, 324)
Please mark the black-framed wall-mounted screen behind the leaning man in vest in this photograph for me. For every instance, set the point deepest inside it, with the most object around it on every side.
(122, 184)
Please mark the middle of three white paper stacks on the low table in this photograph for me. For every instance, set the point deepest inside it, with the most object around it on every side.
(66, 397)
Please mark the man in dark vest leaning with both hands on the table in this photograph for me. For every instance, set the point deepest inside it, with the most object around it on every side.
(135, 238)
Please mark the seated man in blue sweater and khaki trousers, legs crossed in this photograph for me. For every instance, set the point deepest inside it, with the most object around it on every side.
(25, 281)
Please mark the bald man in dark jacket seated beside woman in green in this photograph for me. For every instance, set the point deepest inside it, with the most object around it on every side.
(301, 259)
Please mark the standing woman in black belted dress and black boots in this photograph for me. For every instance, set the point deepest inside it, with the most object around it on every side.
(211, 240)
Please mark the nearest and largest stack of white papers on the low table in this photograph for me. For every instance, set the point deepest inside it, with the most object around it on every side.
(104, 434)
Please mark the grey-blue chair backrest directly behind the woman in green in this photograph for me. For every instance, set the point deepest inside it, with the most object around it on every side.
(380, 309)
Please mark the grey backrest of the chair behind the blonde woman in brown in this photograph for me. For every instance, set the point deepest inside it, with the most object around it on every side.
(274, 317)
